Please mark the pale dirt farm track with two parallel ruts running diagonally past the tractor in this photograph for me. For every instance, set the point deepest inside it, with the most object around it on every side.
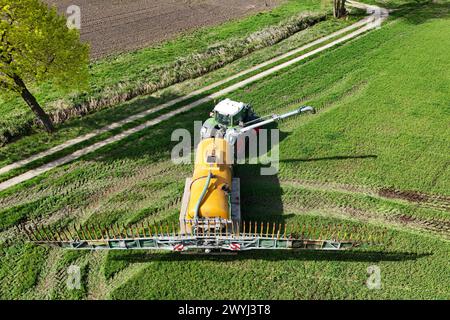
(365, 25)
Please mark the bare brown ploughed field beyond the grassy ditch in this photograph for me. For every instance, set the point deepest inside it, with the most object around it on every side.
(120, 25)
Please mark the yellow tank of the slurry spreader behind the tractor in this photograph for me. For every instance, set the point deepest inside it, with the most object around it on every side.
(212, 156)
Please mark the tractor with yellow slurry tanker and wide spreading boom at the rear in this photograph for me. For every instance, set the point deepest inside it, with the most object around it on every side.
(210, 215)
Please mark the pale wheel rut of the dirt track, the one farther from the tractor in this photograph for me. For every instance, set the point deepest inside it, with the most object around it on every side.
(140, 115)
